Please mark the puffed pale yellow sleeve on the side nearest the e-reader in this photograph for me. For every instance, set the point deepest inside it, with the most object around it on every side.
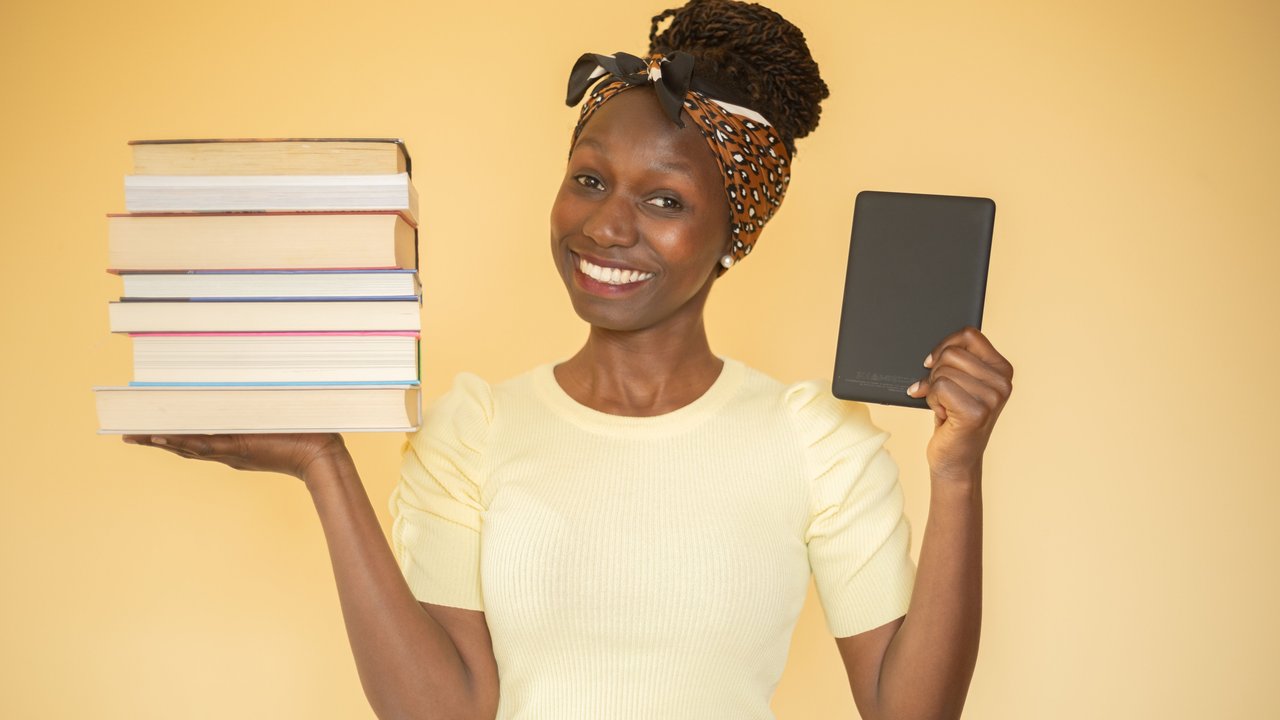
(858, 537)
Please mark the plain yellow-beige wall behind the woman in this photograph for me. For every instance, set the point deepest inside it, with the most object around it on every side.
(1132, 151)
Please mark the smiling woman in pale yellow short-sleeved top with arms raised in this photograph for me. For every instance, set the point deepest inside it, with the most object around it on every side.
(630, 534)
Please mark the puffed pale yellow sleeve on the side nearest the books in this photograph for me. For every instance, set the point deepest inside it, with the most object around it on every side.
(438, 502)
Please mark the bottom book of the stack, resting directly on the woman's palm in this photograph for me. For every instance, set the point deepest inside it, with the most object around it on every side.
(273, 409)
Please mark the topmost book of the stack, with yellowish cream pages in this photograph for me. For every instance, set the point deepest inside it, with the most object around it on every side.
(271, 157)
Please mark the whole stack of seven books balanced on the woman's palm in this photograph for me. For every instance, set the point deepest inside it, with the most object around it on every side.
(269, 286)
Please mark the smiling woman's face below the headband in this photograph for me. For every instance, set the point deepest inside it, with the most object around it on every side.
(641, 221)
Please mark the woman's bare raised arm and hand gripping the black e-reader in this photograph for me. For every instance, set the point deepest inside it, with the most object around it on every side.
(920, 667)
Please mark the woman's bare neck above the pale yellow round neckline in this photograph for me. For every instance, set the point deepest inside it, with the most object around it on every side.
(641, 373)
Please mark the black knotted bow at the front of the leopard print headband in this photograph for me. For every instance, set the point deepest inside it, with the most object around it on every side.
(670, 75)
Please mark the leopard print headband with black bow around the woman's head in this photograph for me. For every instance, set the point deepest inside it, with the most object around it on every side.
(752, 158)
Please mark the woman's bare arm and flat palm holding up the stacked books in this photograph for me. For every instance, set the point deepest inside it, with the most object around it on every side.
(415, 660)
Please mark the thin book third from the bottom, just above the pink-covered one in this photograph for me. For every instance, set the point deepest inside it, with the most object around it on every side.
(269, 316)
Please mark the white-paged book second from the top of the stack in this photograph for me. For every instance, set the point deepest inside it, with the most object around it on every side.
(230, 194)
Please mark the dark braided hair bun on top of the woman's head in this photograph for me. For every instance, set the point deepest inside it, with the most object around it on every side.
(753, 57)
